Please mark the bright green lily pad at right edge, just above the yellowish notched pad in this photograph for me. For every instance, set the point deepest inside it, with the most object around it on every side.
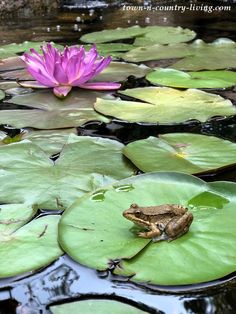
(203, 79)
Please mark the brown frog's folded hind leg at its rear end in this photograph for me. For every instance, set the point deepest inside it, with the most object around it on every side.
(178, 226)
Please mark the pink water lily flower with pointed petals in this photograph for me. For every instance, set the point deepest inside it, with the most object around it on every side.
(63, 70)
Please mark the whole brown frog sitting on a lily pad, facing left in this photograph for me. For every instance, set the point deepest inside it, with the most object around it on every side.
(165, 222)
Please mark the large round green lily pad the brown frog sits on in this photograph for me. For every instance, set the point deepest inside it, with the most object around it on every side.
(94, 232)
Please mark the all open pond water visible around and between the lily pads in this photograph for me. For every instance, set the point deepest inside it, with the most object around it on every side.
(65, 280)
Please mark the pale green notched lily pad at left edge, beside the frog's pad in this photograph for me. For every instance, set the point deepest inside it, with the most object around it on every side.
(26, 246)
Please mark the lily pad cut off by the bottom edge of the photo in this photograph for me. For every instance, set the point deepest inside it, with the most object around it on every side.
(95, 306)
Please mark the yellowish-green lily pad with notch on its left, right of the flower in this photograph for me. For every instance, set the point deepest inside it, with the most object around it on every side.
(165, 105)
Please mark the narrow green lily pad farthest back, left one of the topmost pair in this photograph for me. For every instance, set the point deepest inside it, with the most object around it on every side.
(109, 35)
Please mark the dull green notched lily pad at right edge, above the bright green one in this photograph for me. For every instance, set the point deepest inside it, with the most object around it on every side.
(199, 55)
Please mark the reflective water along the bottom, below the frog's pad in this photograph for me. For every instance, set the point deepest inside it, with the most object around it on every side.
(67, 280)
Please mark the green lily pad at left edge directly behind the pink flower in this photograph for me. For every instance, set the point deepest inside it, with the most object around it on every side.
(13, 49)
